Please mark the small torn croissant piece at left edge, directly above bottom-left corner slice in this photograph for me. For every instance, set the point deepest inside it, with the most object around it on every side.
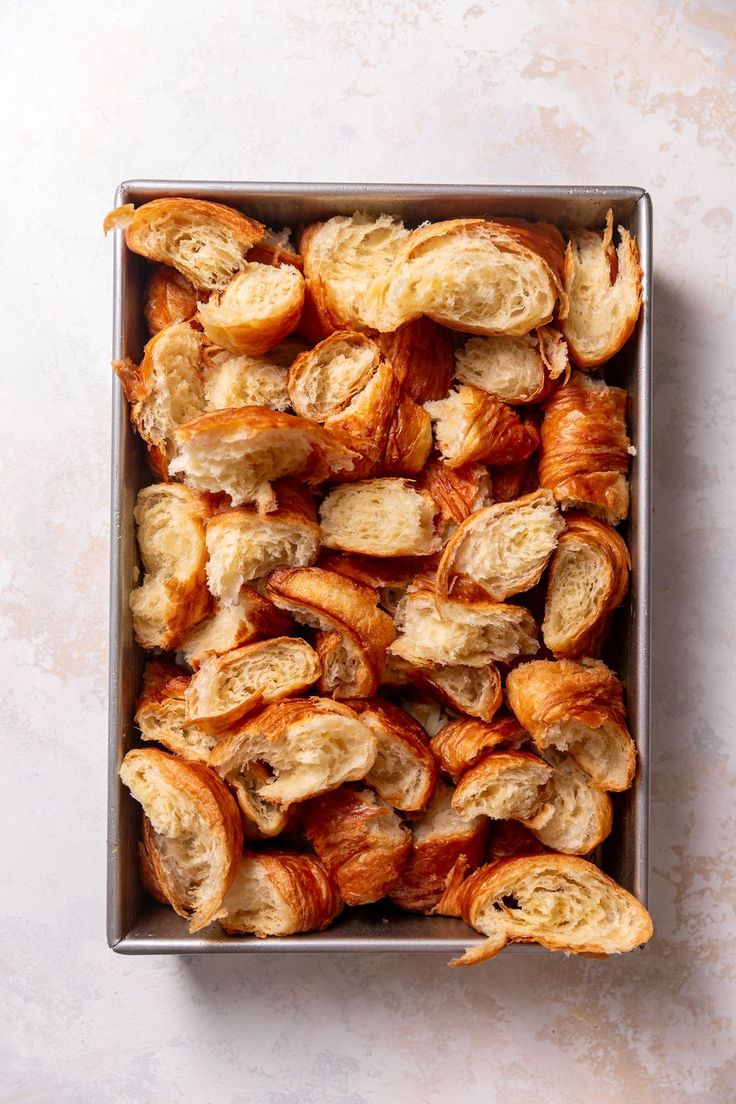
(162, 714)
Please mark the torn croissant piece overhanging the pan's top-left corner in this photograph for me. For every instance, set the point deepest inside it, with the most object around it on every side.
(207, 242)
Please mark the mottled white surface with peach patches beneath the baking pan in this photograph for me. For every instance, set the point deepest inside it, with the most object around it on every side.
(634, 93)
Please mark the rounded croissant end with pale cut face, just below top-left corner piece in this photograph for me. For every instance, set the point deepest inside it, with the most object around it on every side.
(258, 309)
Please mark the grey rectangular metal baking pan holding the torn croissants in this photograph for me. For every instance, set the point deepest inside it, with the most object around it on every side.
(135, 923)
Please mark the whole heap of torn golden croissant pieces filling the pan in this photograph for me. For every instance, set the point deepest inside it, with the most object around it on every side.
(382, 463)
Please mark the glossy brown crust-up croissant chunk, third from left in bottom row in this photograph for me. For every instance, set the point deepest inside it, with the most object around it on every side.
(361, 842)
